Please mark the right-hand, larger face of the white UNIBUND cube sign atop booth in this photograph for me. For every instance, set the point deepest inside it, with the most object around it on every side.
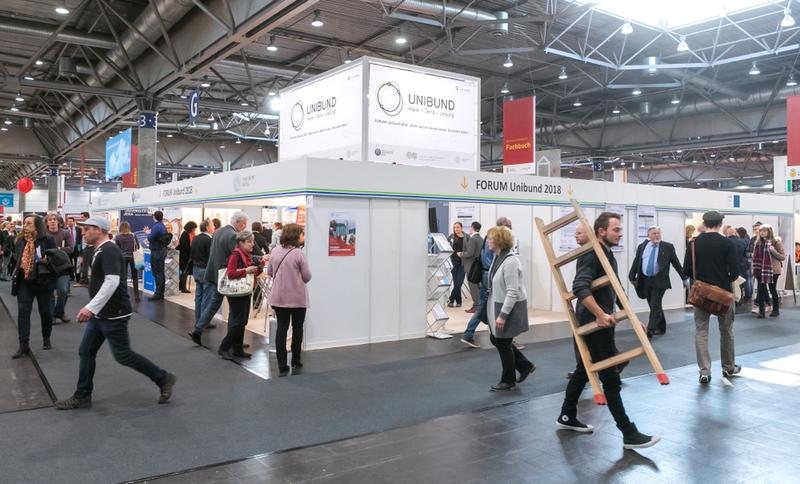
(416, 118)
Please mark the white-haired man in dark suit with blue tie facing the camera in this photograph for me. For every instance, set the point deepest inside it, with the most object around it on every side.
(650, 275)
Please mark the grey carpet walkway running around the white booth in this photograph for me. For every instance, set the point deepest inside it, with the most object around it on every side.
(222, 412)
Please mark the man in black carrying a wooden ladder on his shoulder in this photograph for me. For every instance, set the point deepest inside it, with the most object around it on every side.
(599, 306)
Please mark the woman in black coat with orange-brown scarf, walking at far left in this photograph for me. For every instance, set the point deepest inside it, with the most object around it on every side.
(29, 283)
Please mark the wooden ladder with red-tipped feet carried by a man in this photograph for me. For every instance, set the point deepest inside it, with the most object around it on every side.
(556, 263)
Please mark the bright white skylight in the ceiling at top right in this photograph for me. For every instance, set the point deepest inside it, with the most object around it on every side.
(673, 14)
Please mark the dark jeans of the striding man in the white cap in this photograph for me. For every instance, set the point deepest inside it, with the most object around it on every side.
(116, 332)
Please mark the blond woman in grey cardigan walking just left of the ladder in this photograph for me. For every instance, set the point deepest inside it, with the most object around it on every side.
(507, 308)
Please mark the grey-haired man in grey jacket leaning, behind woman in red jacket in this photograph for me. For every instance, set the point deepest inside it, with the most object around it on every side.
(222, 244)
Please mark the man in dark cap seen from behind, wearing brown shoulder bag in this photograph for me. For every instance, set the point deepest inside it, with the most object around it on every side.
(715, 264)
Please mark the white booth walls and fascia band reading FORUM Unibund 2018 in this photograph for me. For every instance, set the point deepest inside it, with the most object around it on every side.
(377, 290)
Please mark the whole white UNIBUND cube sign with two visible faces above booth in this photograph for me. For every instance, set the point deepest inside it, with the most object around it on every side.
(402, 114)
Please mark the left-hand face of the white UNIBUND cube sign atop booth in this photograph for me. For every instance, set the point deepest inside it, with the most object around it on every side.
(323, 118)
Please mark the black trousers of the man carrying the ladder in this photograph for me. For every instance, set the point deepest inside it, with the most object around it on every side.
(601, 346)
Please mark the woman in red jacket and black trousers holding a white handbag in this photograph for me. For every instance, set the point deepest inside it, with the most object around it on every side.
(240, 264)
